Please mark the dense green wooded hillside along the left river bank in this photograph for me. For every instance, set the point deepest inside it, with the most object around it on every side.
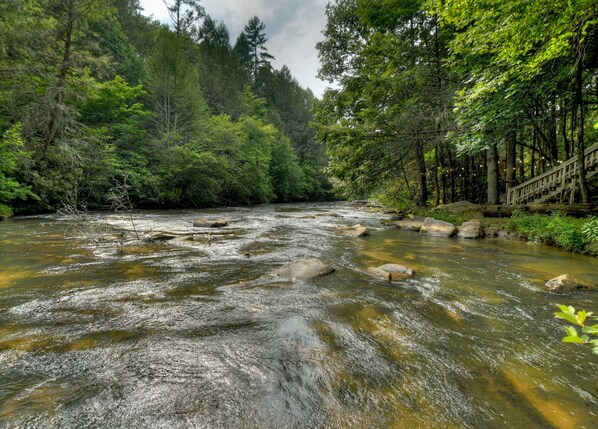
(94, 95)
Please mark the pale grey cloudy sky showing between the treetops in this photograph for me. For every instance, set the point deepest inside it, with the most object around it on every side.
(293, 28)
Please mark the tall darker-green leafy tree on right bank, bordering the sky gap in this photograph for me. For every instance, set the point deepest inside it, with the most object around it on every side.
(394, 100)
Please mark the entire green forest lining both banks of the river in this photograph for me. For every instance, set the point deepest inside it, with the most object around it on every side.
(433, 102)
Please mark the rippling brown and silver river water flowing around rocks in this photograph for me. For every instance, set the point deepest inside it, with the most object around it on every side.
(123, 334)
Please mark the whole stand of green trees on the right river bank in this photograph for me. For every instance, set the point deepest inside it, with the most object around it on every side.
(443, 101)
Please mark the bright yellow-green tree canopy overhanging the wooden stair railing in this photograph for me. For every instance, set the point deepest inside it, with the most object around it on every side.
(519, 54)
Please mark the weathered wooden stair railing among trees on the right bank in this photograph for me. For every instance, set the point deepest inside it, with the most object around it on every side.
(556, 183)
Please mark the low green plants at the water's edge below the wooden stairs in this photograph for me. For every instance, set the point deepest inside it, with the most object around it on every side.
(576, 235)
